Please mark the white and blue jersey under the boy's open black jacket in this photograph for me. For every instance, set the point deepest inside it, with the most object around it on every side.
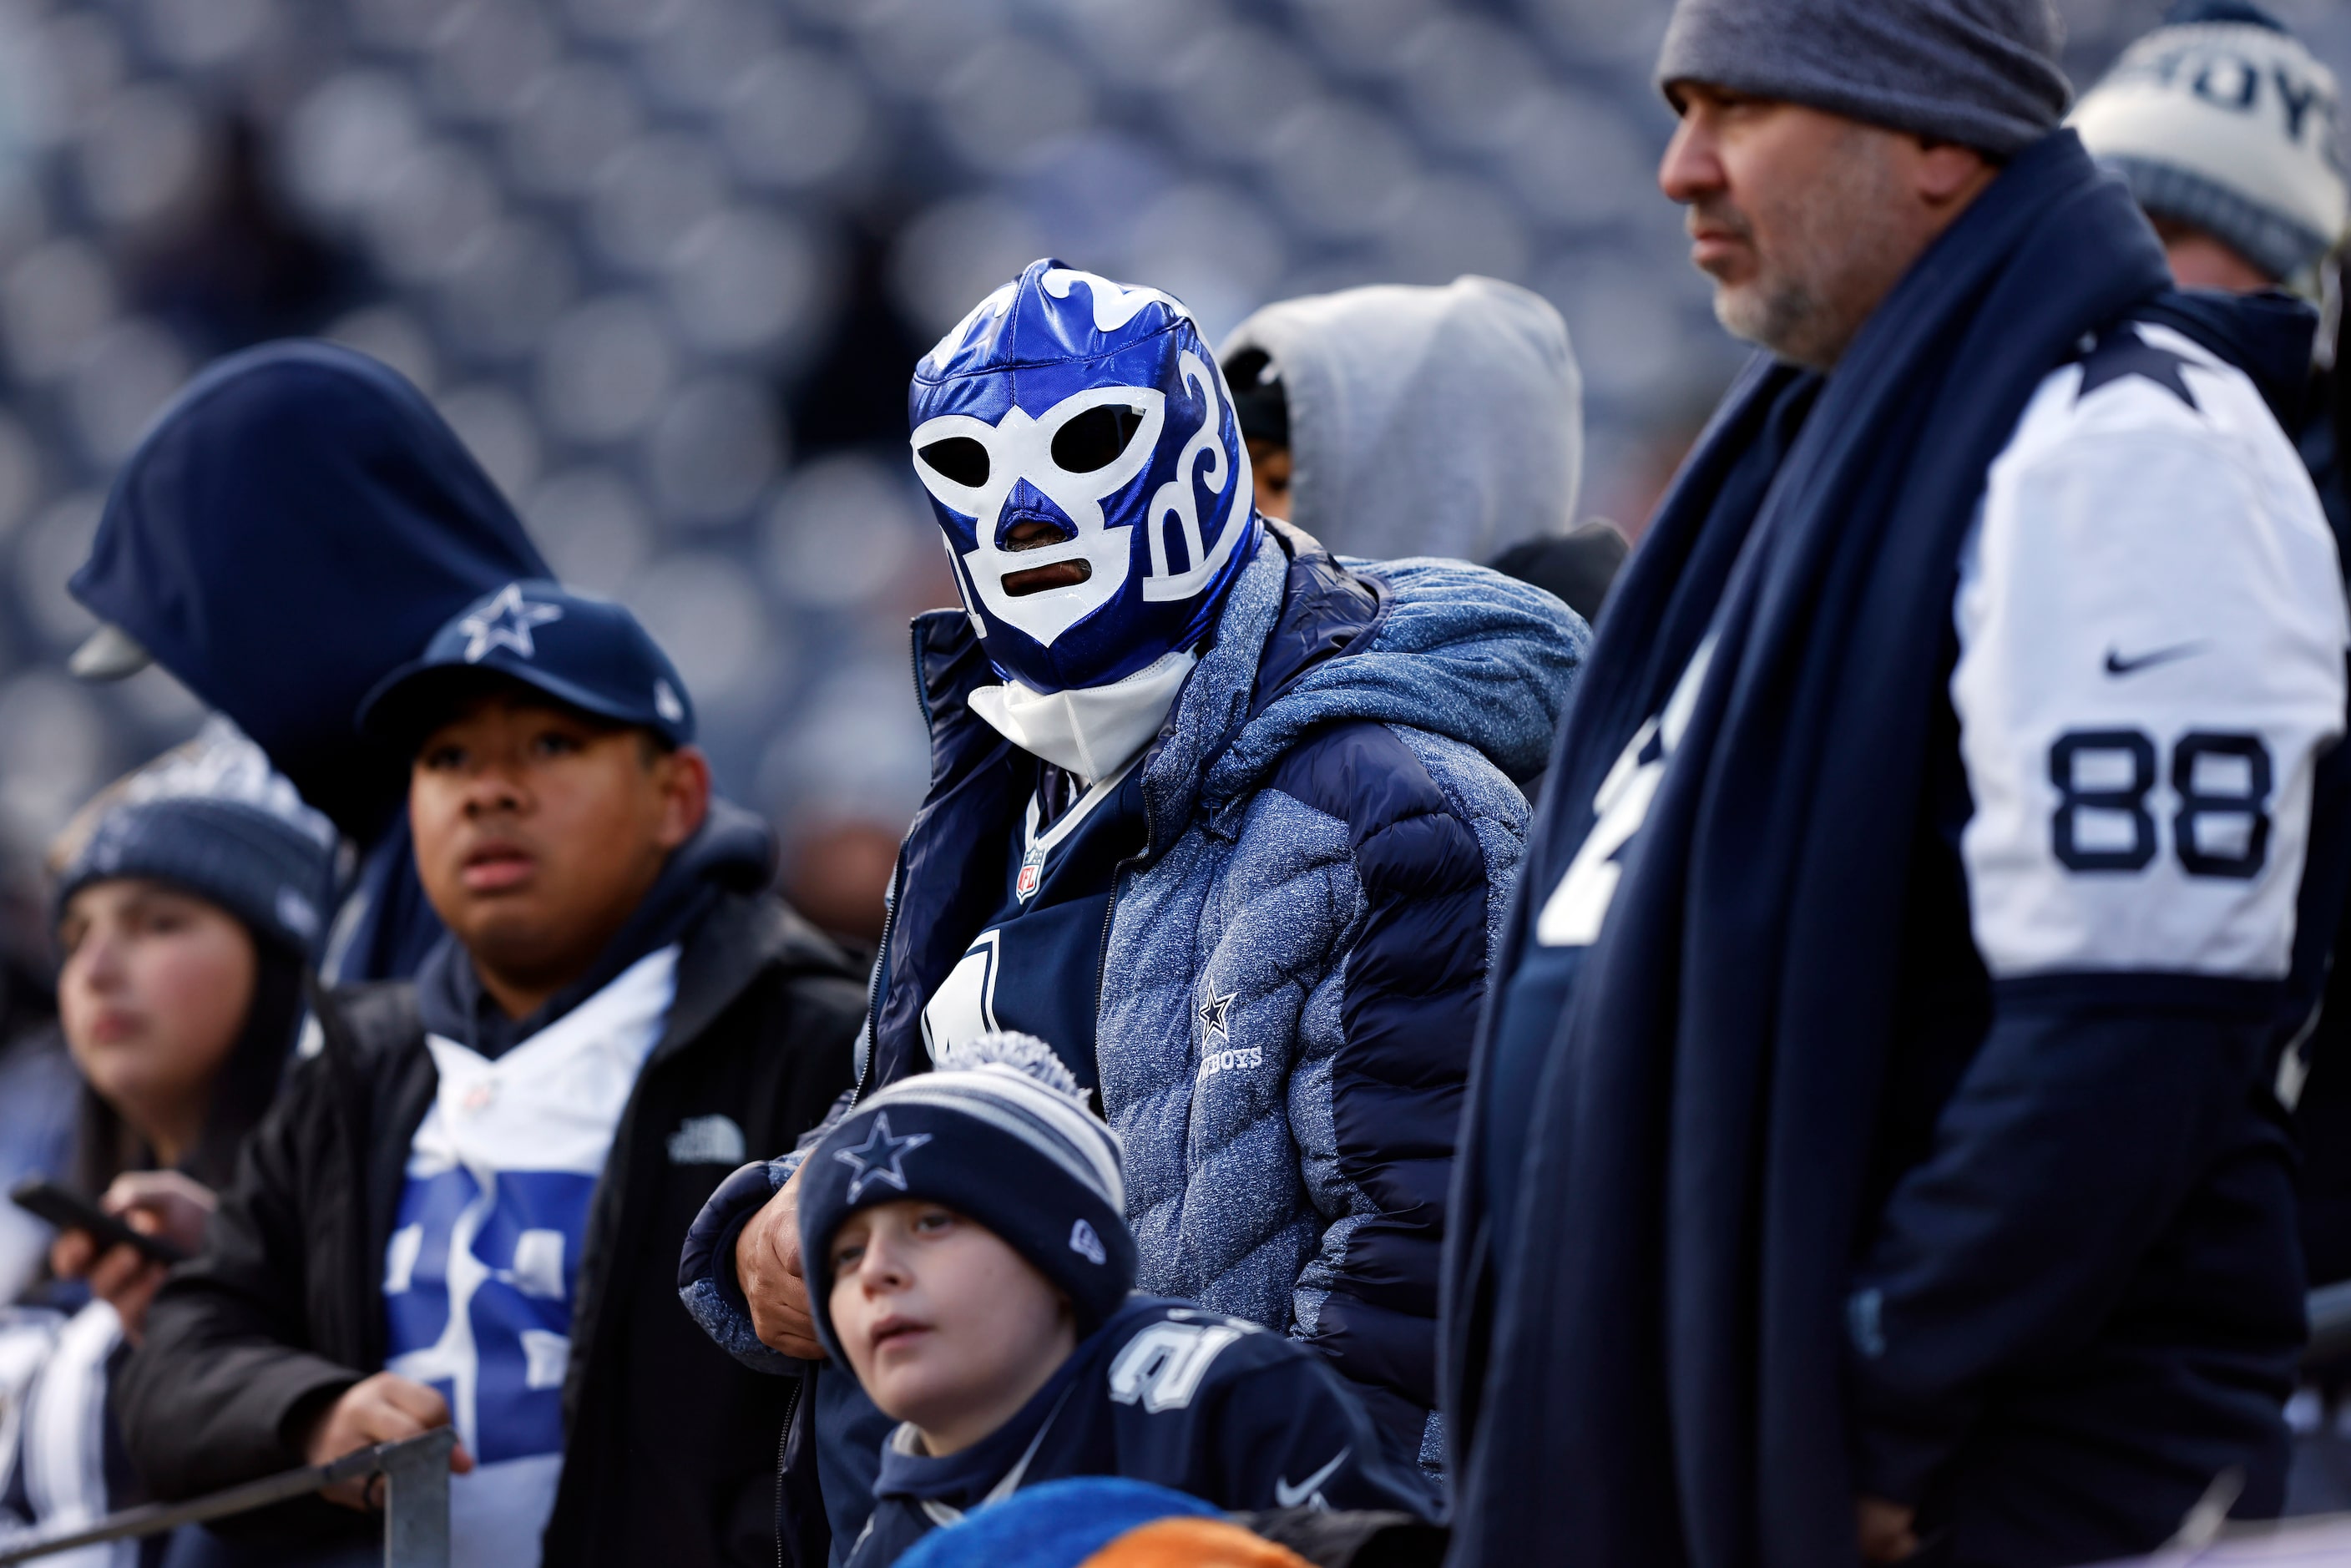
(483, 1266)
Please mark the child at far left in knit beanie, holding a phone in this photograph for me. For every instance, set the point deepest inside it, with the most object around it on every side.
(187, 911)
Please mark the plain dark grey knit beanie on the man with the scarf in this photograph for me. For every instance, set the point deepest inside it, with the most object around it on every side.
(1974, 72)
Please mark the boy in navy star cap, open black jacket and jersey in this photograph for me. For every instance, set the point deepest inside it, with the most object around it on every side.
(450, 1214)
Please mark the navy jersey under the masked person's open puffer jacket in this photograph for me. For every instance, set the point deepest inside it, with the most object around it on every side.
(1038, 963)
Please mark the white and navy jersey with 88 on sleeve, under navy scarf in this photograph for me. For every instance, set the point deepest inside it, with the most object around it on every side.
(2082, 1259)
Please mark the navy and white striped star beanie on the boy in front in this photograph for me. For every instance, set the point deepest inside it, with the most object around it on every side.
(998, 1132)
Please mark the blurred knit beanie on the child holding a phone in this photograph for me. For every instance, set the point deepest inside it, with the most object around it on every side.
(213, 819)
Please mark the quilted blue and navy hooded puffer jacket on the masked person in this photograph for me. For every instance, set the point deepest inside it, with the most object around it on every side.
(1334, 824)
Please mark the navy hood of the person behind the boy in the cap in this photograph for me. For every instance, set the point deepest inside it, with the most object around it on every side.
(297, 525)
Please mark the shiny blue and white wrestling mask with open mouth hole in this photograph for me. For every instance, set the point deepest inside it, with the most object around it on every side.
(1083, 455)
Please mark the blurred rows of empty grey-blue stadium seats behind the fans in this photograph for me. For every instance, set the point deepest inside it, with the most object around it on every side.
(667, 264)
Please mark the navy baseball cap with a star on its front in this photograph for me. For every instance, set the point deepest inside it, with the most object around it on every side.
(580, 650)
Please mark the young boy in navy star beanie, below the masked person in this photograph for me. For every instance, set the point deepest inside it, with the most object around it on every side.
(970, 1261)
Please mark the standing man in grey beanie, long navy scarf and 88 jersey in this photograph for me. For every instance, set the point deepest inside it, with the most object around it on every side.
(1873, 1146)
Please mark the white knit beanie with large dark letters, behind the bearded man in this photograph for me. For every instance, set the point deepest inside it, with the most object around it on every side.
(2225, 121)
